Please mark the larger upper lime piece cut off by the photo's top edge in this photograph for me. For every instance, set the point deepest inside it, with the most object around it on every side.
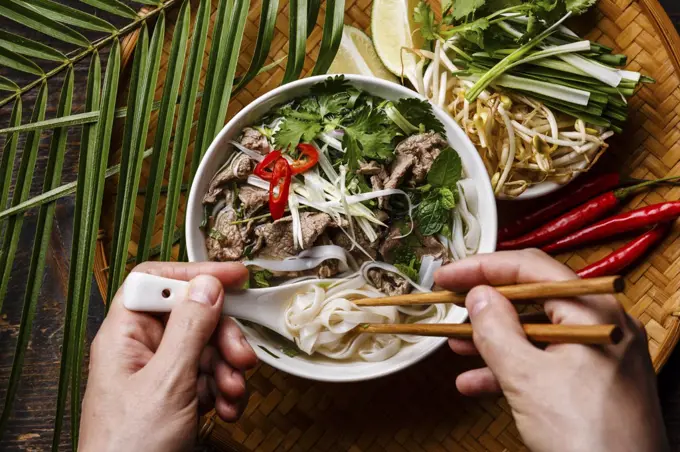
(392, 27)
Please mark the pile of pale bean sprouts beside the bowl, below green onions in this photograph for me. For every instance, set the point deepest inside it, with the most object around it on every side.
(522, 141)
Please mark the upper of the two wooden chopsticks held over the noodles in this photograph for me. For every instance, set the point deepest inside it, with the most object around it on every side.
(519, 294)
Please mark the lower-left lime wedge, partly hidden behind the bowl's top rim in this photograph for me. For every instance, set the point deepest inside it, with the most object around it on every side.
(357, 55)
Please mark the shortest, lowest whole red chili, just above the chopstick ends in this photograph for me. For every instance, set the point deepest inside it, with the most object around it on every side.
(617, 261)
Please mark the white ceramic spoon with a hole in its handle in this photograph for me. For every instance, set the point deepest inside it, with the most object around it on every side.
(266, 306)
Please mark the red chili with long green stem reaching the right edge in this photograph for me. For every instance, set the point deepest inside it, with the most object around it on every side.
(577, 218)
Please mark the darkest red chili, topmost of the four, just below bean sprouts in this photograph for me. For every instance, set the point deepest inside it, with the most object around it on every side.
(590, 187)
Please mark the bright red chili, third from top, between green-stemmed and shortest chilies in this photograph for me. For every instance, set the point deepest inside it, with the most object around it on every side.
(623, 222)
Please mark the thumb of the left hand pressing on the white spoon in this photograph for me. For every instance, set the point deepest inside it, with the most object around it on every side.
(190, 326)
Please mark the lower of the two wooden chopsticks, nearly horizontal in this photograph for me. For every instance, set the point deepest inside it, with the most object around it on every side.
(548, 333)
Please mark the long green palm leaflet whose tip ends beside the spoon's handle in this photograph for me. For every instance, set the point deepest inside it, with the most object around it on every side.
(136, 129)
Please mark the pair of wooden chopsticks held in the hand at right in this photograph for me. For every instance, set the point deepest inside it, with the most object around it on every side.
(518, 294)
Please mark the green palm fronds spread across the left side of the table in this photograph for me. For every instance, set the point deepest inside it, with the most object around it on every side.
(59, 21)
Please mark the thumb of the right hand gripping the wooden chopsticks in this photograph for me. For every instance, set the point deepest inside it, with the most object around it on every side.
(497, 333)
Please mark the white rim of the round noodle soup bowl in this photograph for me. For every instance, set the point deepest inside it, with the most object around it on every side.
(280, 91)
